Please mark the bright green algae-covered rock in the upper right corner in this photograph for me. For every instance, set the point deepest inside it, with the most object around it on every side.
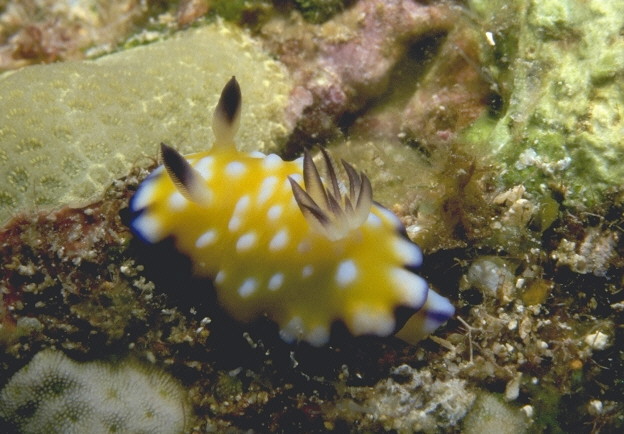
(560, 66)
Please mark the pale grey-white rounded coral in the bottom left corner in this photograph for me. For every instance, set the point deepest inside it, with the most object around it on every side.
(54, 394)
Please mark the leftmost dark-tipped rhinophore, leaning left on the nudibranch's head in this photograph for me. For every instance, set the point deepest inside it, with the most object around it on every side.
(188, 181)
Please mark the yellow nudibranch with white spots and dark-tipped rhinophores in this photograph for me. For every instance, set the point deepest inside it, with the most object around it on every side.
(279, 239)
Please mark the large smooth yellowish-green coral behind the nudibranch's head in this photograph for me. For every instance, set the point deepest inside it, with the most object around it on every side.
(67, 130)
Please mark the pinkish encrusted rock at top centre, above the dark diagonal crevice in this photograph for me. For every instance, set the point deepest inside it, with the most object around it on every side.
(343, 64)
